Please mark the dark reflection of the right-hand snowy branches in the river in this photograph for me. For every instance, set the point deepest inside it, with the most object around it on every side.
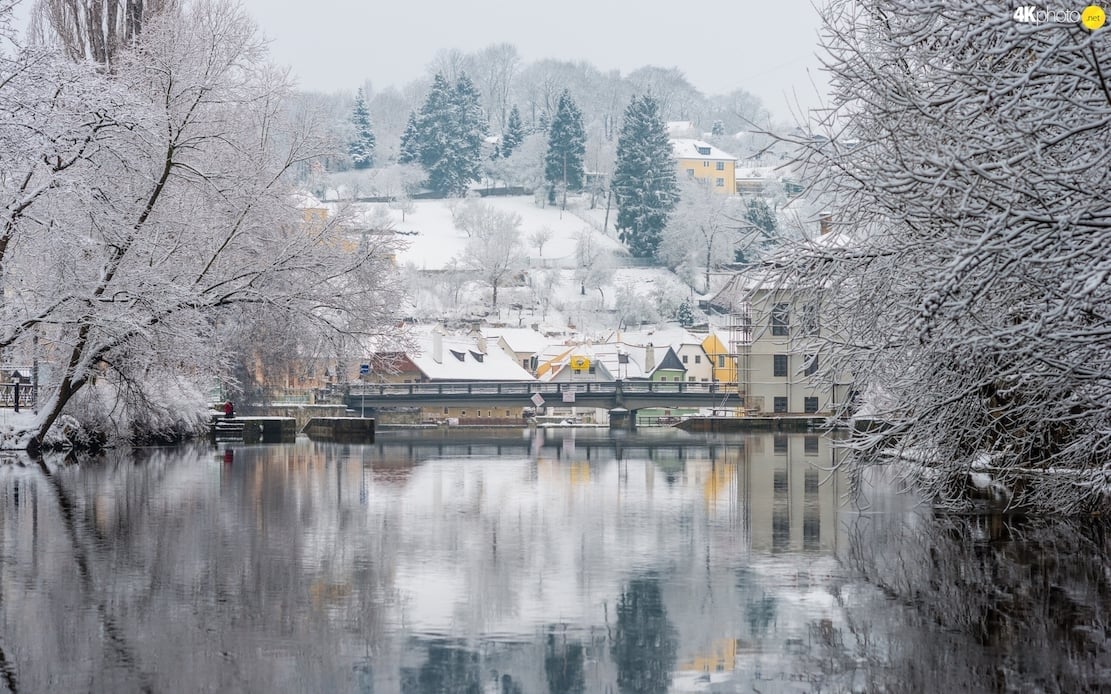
(1006, 604)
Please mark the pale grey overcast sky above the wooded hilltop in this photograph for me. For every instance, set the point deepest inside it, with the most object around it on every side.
(766, 48)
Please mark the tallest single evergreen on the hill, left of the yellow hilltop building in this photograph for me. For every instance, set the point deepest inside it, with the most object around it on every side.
(645, 185)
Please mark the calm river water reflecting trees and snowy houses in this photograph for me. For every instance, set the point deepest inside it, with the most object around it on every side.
(516, 562)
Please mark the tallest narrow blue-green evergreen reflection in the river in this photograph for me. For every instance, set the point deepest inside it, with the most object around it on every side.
(645, 643)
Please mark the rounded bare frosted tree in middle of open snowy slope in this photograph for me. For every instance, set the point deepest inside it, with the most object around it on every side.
(494, 252)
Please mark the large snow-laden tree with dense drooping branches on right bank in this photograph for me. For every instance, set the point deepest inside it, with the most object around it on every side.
(965, 281)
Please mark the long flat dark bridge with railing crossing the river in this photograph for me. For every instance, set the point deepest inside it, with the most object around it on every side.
(609, 395)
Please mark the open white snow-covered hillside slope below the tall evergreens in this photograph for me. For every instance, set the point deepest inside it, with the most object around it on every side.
(628, 293)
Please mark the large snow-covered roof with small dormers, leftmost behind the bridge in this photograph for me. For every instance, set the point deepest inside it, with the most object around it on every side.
(461, 359)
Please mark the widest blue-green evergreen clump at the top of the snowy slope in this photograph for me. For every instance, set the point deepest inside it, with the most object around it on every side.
(446, 137)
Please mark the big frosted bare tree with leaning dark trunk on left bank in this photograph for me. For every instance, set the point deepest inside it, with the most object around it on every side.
(147, 214)
